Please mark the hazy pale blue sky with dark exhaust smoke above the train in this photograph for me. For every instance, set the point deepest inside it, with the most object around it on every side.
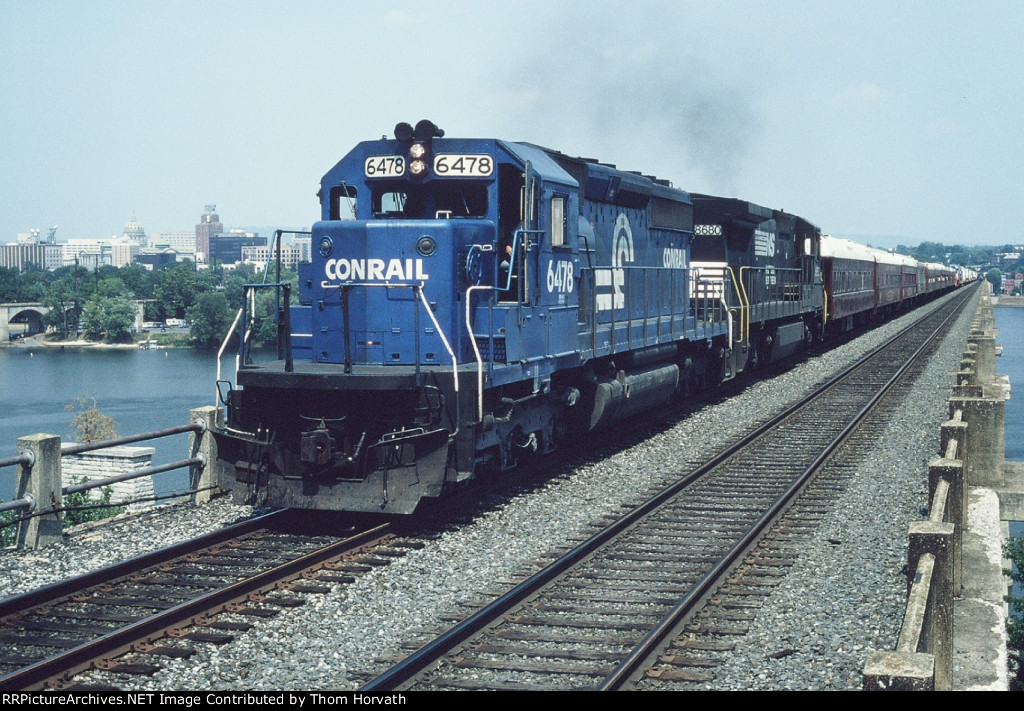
(883, 121)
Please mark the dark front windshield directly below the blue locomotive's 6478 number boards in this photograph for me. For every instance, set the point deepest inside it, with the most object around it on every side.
(448, 199)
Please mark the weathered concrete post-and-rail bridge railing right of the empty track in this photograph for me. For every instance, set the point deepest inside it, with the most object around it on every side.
(972, 446)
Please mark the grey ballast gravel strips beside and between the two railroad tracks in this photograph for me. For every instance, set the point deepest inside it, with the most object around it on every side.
(839, 602)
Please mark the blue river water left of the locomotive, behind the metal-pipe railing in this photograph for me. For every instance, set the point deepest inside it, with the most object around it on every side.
(144, 391)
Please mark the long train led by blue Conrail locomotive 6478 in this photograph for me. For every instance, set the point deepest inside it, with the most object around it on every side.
(474, 302)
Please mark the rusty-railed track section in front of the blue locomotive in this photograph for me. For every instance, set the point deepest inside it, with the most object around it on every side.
(125, 617)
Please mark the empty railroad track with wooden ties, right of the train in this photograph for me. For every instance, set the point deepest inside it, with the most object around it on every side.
(603, 615)
